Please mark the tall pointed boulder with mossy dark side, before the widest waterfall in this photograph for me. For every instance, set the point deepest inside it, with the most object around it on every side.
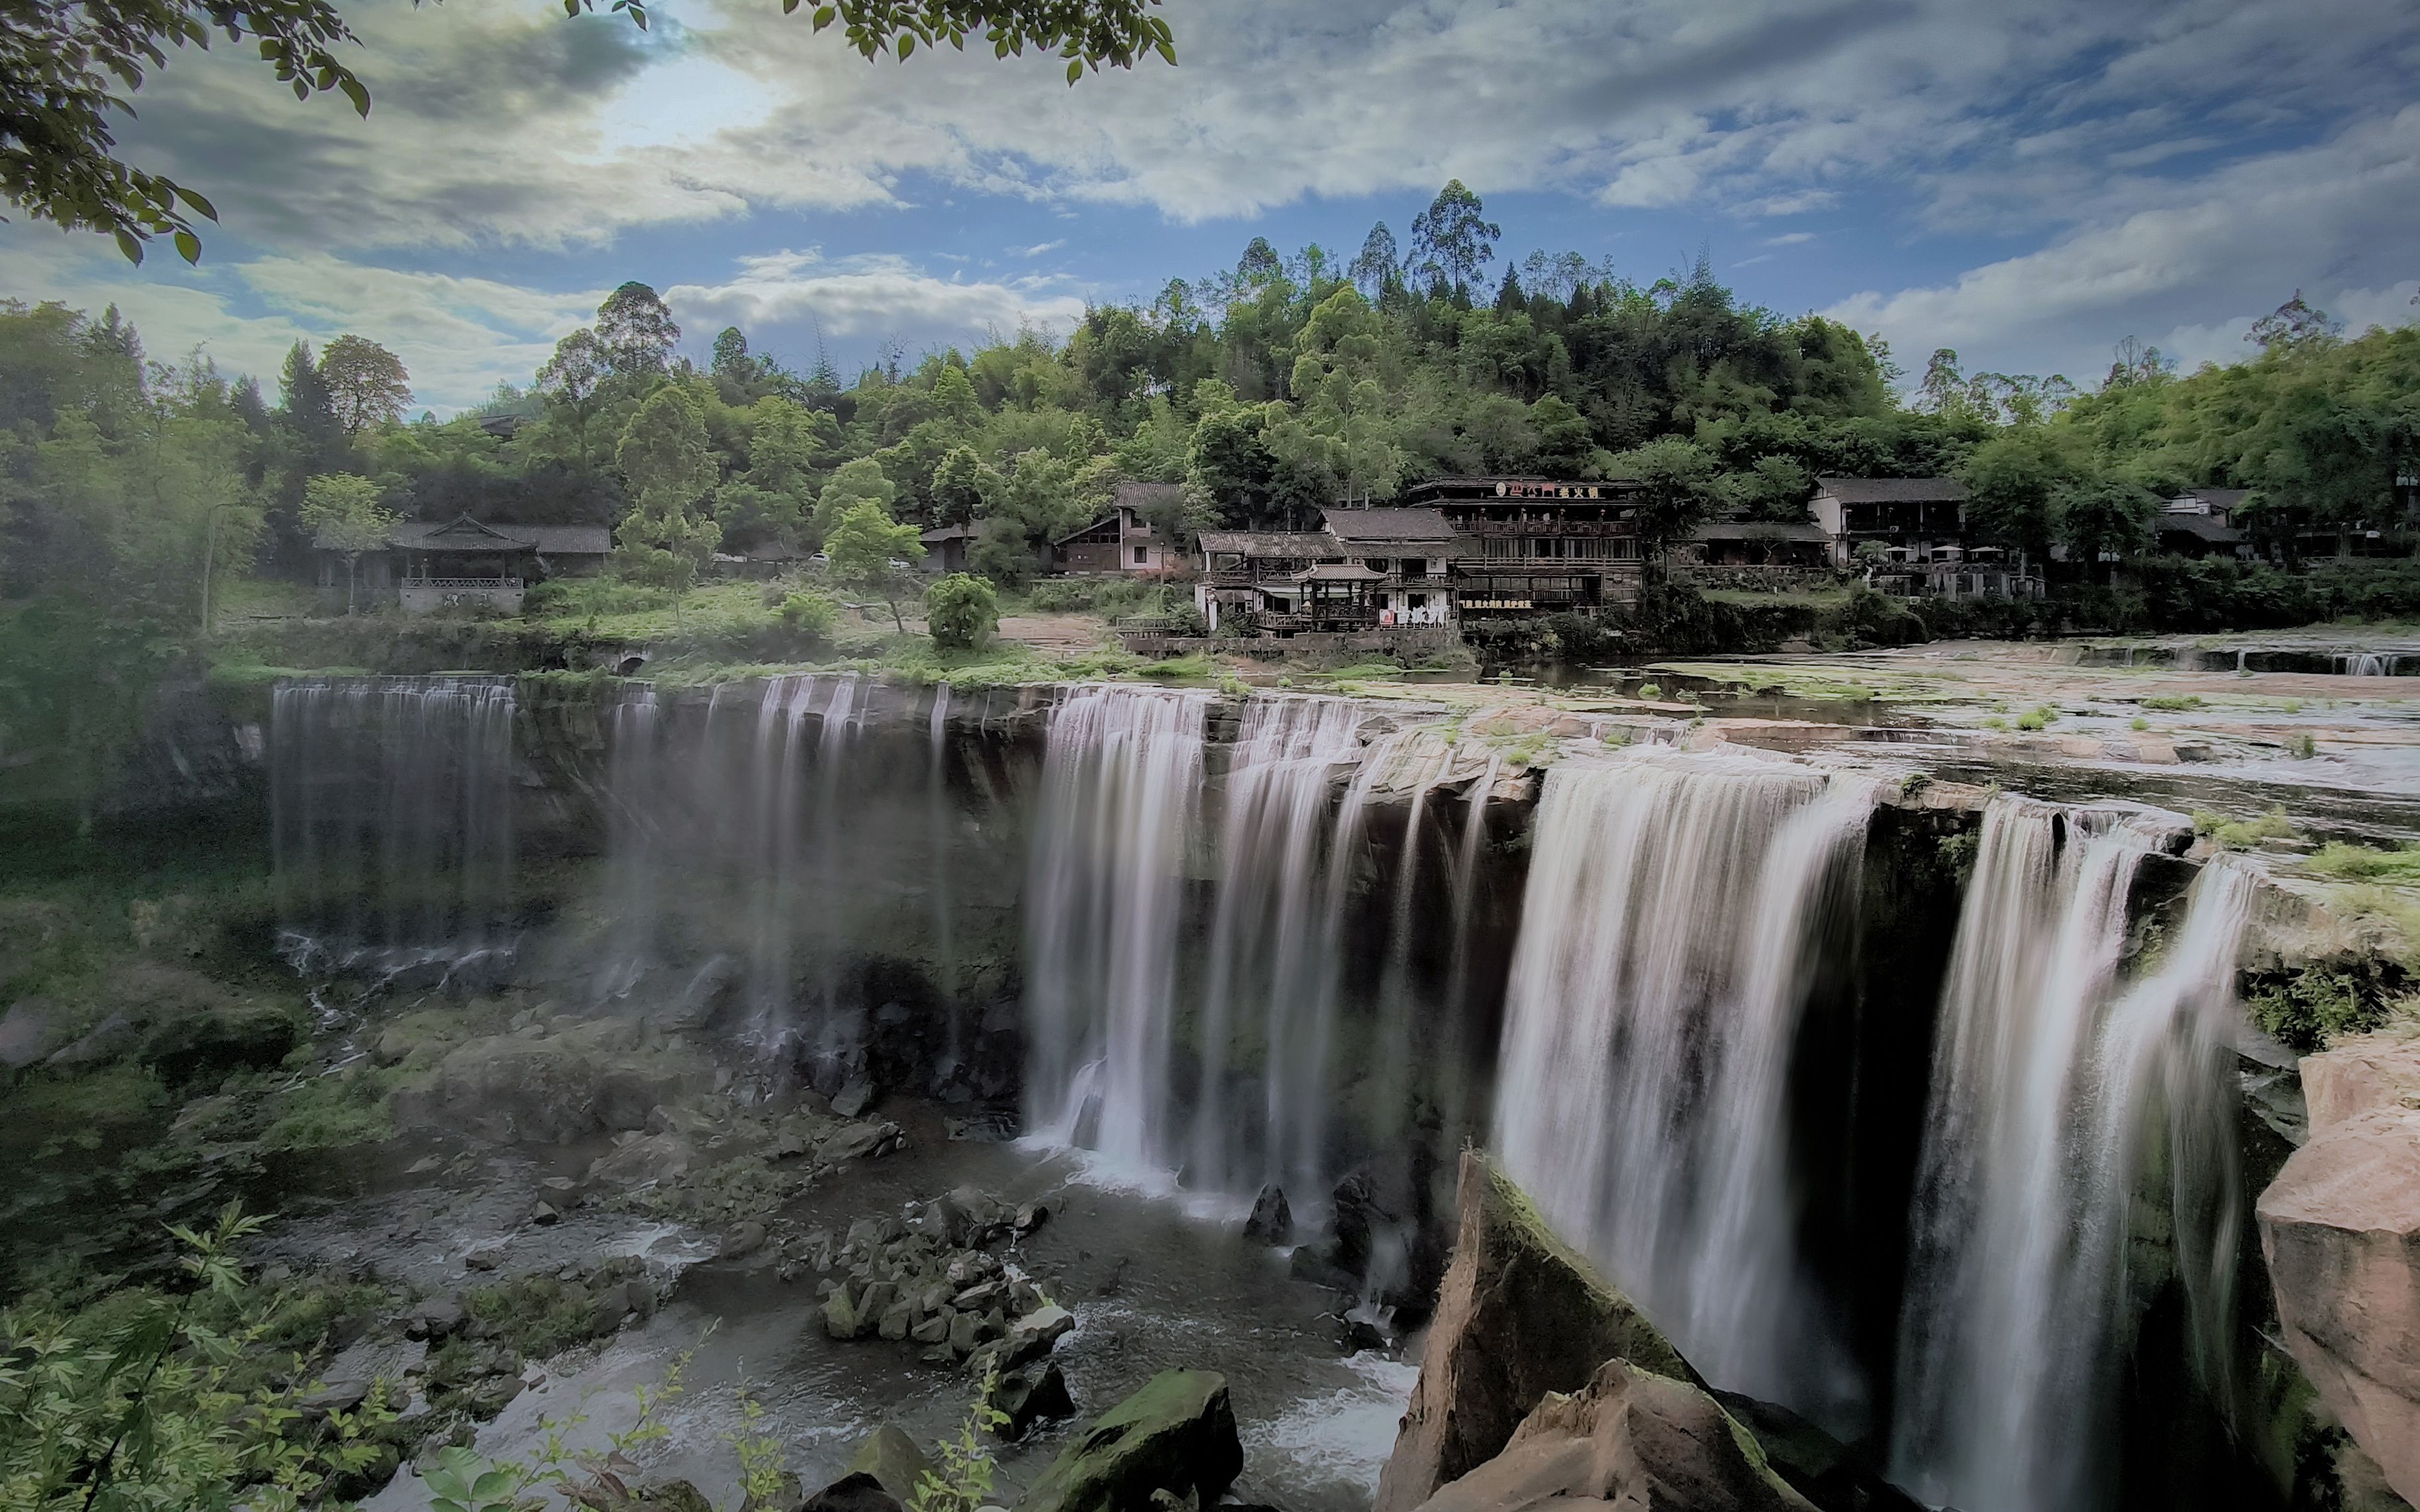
(1521, 1315)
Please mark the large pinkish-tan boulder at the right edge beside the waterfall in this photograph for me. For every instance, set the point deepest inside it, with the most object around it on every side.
(2341, 1235)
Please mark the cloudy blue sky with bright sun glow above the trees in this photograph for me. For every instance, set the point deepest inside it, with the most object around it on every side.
(2027, 183)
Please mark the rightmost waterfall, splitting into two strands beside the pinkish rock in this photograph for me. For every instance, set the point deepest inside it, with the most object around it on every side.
(2049, 1083)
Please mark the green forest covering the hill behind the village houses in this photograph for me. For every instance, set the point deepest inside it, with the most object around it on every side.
(132, 485)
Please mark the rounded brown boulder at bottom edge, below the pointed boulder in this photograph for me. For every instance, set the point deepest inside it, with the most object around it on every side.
(1630, 1441)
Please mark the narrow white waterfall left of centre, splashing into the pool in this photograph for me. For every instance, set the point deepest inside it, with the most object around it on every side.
(1122, 785)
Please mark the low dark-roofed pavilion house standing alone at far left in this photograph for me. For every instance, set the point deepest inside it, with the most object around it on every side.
(463, 562)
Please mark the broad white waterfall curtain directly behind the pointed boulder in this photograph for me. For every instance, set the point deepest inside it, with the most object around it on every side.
(1673, 911)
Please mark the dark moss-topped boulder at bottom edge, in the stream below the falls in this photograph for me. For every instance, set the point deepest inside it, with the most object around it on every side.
(1175, 1436)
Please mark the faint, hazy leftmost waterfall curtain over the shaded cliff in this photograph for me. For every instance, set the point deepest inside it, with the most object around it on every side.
(393, 819)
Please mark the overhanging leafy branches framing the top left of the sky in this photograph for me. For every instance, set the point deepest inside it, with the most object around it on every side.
(67, 69)
